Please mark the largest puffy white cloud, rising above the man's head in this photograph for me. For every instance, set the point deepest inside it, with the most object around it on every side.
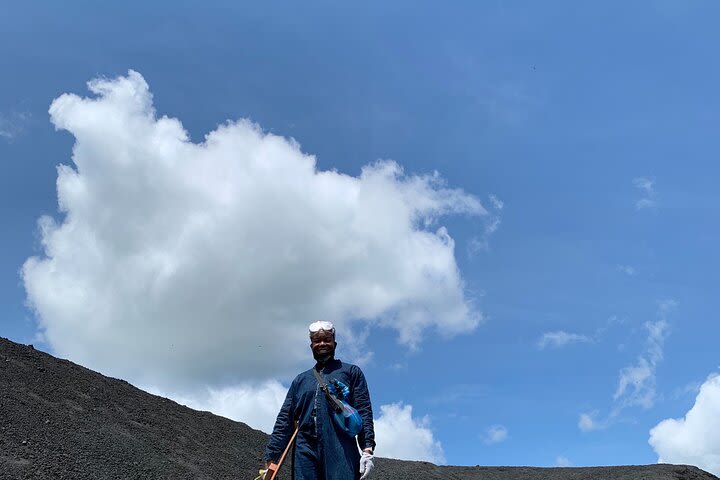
(178, 264)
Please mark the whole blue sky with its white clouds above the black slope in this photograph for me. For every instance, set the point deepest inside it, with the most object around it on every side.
(509, 211)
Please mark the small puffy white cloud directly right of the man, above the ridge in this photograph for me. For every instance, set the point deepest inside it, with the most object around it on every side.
(403, 437)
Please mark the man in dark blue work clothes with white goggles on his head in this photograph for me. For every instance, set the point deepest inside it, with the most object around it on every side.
(323, 451)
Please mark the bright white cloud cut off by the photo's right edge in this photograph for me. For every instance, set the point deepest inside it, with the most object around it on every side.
(695, 438)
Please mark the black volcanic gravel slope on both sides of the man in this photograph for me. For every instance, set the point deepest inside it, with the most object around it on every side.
(59, 420)
